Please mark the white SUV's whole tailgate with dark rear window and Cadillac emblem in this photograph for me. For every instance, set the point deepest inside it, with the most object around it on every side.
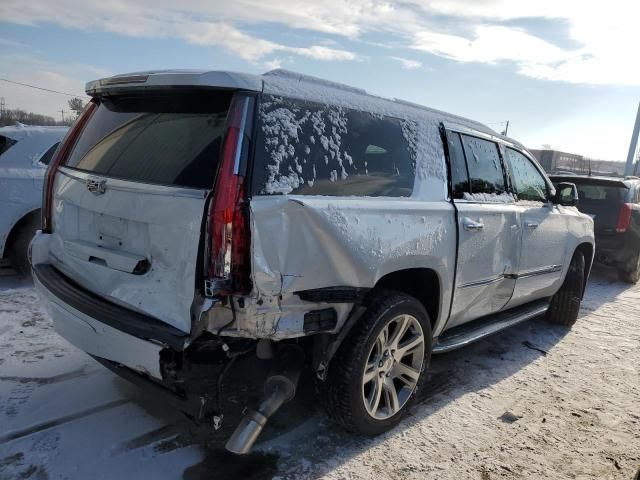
(128, 205)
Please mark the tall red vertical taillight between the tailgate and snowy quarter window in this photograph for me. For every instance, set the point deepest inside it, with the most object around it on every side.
(228, 232)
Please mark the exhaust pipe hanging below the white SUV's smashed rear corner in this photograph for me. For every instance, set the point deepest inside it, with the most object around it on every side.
(279, 387)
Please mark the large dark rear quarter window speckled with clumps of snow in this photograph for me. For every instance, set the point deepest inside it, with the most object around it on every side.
(312, 149)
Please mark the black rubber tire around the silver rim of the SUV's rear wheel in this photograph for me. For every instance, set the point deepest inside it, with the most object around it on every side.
(343, 390)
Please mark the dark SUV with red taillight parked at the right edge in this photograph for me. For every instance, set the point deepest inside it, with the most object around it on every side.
(614, 204)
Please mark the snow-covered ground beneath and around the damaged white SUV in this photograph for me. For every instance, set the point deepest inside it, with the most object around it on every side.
(536, 401)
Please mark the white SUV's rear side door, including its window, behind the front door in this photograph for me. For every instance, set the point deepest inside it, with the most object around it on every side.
(488, 228)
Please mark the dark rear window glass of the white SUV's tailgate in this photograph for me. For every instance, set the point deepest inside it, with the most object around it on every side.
(168, 140)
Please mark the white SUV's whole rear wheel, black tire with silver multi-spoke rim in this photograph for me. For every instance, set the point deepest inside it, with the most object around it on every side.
(379, 369)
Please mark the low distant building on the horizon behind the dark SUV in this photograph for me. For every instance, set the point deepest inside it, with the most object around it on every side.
(555, 161)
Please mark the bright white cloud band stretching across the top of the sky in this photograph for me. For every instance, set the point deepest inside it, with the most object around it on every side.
(604, 34)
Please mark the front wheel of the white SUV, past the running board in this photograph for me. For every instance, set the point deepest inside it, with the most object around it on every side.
(565, 304)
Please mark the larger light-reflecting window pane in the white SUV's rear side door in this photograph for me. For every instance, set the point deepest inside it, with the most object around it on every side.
(483, 162)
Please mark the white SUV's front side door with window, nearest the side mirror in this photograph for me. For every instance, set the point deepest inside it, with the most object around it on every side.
(544, 232)
